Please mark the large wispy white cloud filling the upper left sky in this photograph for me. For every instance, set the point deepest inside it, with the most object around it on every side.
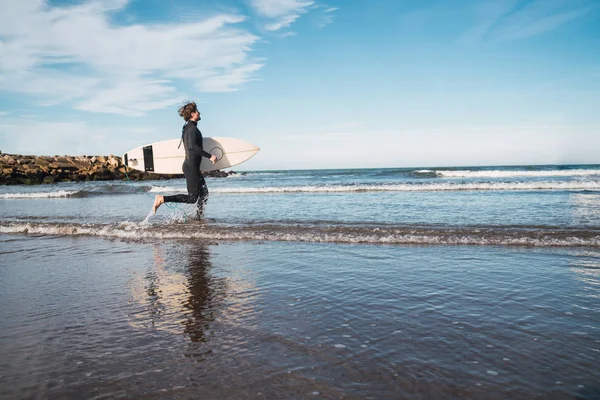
(75, 54)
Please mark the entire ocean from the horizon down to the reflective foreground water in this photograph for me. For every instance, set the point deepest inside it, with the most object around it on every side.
(470, 282)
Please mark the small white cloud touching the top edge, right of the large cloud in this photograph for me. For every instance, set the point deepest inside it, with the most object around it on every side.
(283, 12)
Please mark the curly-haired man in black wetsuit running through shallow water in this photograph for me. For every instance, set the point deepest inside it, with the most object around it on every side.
(192, 142)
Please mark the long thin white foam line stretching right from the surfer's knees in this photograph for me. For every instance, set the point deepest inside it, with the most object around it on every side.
(444, 186)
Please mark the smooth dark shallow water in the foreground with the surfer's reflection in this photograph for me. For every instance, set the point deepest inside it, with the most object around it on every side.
(95, 318)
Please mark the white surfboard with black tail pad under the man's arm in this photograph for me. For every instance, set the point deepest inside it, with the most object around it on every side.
(165, 158)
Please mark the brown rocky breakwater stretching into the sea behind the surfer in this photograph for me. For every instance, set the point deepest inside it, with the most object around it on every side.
(31, 170)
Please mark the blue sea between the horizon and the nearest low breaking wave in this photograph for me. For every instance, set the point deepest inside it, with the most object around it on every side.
(527, 198)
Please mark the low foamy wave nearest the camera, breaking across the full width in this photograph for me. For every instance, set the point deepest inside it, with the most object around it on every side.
(384, 234)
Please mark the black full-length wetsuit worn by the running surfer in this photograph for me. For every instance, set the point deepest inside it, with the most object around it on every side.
(196, 186)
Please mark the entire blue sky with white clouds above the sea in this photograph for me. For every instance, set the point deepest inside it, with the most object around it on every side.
(314, 84)
